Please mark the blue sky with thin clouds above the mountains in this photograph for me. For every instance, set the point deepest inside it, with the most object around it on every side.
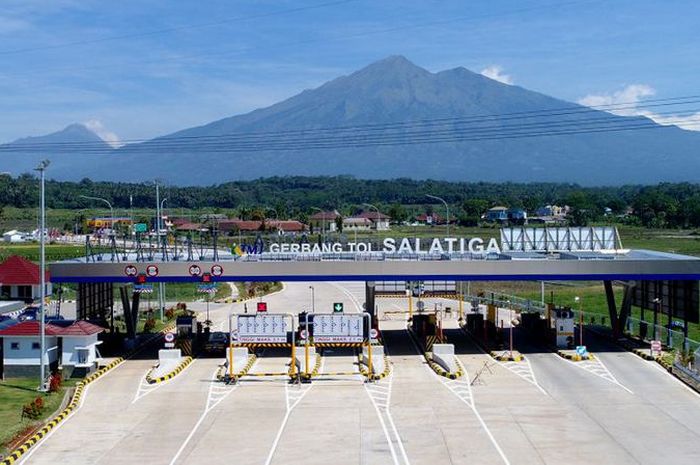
(138, 69)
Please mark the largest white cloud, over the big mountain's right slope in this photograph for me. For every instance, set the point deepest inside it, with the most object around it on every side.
(626, 102)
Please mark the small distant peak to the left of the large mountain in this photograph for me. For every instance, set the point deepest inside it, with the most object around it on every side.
(74, 147)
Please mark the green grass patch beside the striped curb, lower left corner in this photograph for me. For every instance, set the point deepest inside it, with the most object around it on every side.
(16, 392)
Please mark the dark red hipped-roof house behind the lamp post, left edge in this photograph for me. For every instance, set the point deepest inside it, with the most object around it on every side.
(20, 279)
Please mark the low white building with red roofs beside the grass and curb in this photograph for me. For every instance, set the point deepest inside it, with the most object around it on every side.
(71, 346)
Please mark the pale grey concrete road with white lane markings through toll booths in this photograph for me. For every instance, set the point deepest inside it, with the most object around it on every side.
(619, 409)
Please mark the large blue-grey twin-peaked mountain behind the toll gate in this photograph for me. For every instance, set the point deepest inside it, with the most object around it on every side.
(394, 119)
